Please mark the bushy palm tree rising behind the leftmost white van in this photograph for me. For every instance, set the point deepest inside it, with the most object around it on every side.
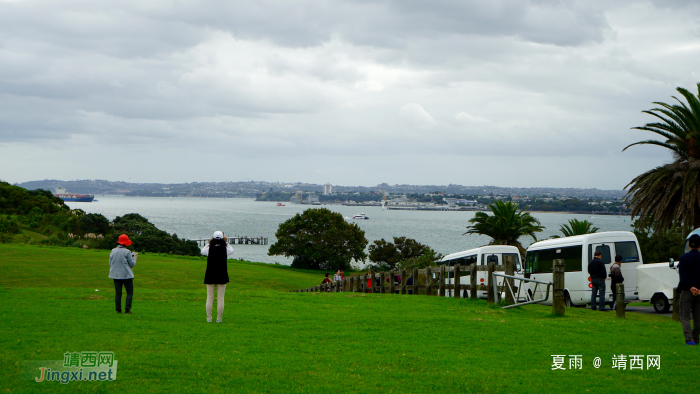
(506, 225)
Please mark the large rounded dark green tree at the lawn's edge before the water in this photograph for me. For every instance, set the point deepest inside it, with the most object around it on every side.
(319, 239)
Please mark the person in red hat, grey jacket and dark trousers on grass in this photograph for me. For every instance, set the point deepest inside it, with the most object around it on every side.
(121, 263)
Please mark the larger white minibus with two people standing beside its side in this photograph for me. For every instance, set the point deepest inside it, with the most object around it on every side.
(577, 252)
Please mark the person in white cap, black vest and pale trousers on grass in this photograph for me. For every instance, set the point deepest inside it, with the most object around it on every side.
(216, 276)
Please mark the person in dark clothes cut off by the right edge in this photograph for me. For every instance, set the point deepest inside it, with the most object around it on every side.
(689, 286)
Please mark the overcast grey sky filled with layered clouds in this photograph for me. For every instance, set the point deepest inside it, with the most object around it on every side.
(499, 92)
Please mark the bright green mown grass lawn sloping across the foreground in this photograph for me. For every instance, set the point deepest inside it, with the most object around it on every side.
(272, 340)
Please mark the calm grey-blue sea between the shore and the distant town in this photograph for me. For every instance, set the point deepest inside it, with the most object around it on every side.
(194, 218)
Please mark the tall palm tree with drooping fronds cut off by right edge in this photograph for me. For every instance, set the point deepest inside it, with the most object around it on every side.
(670, 193)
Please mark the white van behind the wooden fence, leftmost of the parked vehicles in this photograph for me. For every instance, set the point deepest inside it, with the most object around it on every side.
(480, 256)
